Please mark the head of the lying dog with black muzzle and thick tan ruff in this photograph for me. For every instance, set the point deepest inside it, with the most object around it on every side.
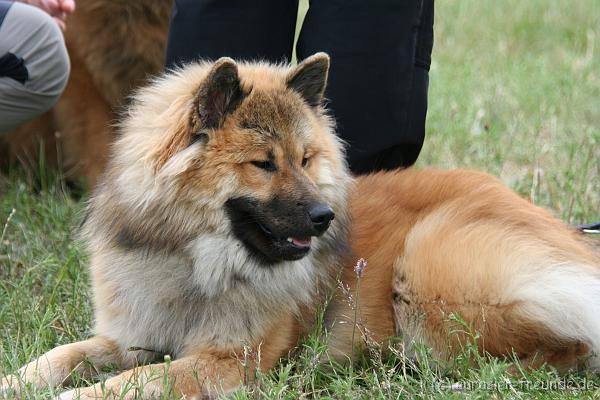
(234, 147)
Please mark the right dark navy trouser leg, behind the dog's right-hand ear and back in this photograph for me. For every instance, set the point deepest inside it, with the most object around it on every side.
(380, 53)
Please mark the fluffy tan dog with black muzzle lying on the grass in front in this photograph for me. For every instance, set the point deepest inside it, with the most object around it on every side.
(213, 231)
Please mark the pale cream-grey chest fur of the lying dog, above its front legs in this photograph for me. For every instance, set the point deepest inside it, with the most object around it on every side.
(215, 295)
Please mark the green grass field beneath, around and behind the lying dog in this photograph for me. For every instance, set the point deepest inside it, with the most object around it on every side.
(514, 90)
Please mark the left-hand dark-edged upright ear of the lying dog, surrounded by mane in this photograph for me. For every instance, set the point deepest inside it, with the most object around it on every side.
(219, 95)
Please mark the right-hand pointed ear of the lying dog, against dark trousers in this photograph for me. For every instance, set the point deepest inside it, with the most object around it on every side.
(309, 78)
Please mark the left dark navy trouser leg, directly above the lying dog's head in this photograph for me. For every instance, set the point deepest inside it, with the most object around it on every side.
(241, 29)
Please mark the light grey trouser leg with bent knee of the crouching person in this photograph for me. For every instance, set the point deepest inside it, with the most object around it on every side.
(30, 34)
